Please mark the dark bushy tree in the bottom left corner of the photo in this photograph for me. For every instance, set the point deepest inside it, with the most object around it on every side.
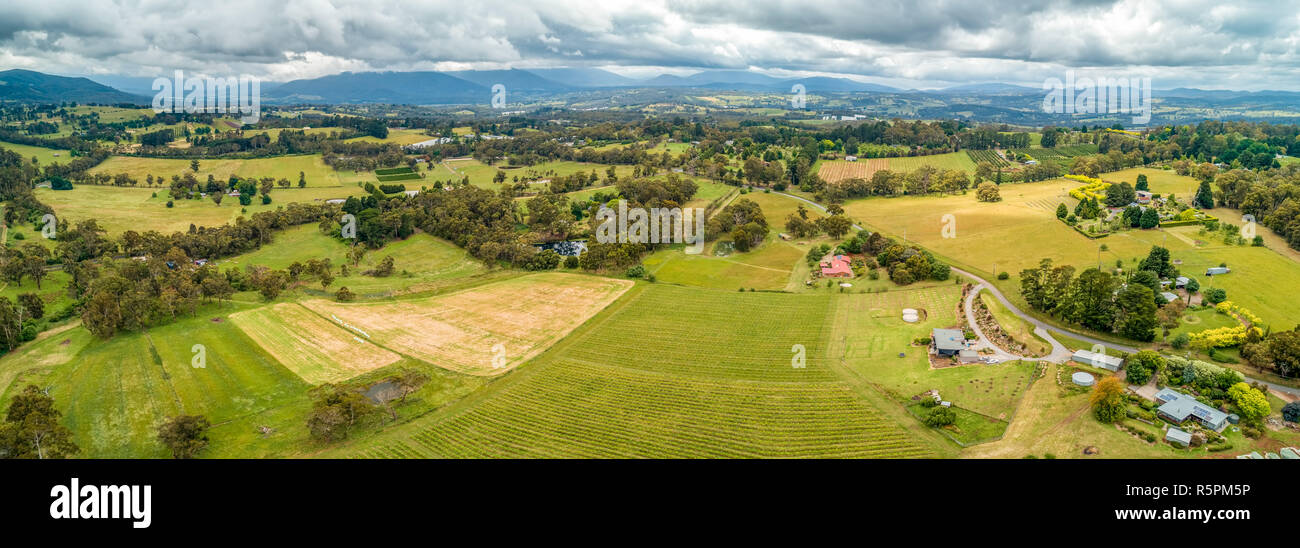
(32, 429)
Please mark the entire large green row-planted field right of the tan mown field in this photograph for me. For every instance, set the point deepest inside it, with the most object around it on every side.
(600, 394)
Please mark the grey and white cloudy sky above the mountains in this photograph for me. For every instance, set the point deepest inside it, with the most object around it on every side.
(920, 44)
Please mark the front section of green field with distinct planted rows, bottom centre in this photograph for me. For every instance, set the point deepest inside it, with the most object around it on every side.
(575, 410)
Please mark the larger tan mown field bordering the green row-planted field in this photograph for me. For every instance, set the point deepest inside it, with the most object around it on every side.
(483, 332)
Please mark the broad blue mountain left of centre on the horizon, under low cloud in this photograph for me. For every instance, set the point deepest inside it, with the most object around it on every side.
(415, 89)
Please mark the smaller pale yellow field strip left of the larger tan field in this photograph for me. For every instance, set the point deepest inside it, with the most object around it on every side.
(311, 346)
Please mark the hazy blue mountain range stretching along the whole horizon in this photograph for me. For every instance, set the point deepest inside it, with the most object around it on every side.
(987, 102)
